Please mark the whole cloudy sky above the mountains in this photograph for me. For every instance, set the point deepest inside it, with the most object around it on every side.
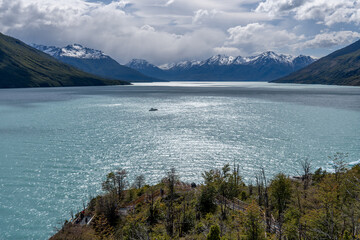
(164, 31)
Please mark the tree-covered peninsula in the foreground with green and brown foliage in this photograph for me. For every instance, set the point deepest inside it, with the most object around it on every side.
(315, 205)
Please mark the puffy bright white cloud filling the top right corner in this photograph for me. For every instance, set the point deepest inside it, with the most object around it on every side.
(328, 12)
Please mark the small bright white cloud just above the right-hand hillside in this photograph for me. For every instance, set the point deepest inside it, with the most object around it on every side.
(330, 39)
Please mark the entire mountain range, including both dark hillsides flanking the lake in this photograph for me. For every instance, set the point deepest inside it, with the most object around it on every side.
(24, 66)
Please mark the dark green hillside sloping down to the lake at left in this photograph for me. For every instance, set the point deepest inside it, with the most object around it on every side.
(24, 66)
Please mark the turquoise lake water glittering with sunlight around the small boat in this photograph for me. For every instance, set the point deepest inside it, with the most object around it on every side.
(57, 144)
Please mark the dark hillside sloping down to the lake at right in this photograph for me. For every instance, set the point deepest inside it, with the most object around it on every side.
(339, 68)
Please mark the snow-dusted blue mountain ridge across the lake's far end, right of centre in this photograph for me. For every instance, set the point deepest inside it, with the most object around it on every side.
(263, 67)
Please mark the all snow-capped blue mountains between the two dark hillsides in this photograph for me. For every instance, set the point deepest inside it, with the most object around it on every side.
(263, 67)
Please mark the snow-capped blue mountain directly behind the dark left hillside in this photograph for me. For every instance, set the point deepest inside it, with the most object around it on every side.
(94, 61)
